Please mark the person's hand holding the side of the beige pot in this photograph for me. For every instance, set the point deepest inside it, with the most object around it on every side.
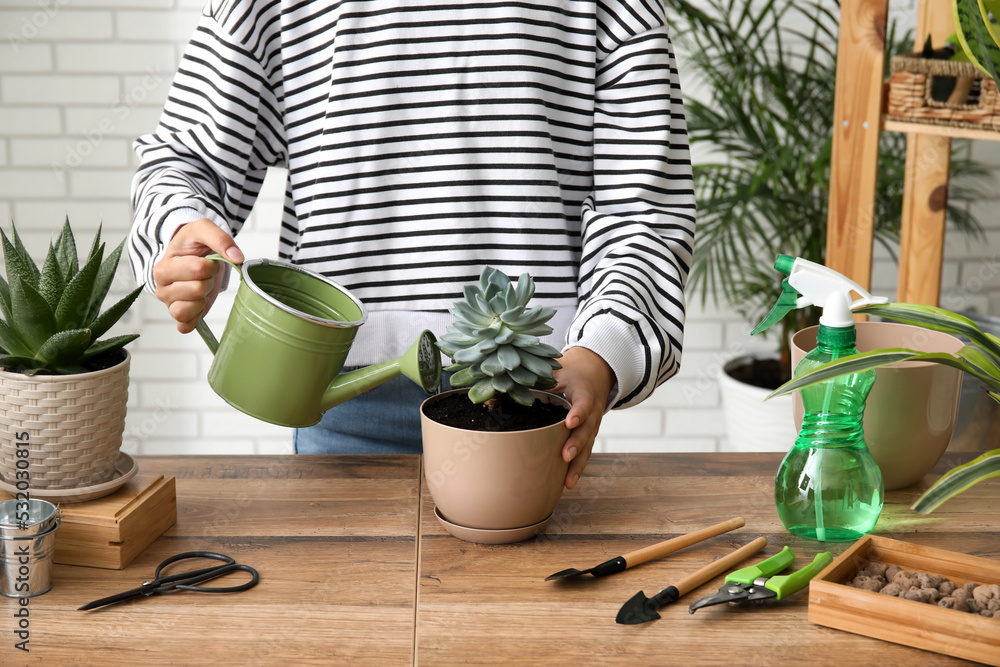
(586, 380)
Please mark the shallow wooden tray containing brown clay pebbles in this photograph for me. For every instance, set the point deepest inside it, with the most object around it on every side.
(922, 625)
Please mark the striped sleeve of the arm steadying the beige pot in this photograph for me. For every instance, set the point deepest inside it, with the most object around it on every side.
(638, 223)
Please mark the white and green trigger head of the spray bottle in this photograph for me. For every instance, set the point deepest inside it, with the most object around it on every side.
(809, 283)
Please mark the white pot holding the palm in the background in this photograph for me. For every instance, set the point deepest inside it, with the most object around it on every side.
(752, 424)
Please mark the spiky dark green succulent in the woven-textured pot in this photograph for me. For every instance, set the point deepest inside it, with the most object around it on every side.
(51, 316)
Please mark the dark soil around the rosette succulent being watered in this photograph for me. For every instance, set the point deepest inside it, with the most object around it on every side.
(458, 411)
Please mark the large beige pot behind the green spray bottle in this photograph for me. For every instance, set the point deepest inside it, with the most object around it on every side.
(911, 412)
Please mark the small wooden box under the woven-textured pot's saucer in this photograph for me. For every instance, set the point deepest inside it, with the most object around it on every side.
(110, 532)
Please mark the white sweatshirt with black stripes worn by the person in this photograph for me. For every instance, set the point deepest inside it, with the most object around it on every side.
(425, 139)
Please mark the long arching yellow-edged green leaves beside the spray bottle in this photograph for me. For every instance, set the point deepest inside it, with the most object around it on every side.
(980, 358)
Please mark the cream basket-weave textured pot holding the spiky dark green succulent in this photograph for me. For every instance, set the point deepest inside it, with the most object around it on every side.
(72, 425)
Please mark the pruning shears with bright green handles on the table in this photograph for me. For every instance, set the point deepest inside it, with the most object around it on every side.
(756, 584)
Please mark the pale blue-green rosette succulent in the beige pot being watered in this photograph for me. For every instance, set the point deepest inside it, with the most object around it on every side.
(495, 341)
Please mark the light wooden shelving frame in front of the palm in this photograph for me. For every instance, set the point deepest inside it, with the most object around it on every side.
(859, 110)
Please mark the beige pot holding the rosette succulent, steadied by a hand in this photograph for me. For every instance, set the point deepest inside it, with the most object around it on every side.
(494, 481)
